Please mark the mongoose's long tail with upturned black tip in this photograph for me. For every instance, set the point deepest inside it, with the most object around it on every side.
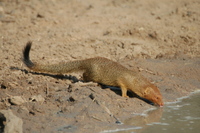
(60, 68)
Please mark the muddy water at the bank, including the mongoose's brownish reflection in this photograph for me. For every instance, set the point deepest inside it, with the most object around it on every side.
(182, 116)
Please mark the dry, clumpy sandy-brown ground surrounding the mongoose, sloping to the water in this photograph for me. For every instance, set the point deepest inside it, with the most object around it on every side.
(159, 38)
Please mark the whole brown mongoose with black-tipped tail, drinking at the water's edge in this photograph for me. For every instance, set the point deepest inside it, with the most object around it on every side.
(103, 71)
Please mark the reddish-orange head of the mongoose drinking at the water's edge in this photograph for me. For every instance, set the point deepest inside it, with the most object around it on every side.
(153, 94)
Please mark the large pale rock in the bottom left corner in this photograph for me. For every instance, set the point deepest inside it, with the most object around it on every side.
(13, 124)
